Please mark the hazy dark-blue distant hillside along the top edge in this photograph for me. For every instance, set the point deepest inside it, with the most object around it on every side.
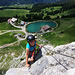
(12, 2)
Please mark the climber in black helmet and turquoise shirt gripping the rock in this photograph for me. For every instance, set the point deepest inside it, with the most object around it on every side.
(30, 49)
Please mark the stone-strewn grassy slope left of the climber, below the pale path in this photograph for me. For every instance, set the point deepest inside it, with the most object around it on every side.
(17, 50)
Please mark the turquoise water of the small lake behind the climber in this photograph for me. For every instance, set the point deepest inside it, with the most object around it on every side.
(35, 27)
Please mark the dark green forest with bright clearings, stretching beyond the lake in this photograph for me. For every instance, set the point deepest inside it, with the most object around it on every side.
(37, 11)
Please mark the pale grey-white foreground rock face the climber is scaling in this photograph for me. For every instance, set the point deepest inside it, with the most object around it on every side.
(62, 63)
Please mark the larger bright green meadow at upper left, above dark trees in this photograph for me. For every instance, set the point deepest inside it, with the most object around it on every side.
(13, 12)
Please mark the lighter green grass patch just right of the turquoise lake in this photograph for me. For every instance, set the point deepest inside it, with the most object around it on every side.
(64, 24)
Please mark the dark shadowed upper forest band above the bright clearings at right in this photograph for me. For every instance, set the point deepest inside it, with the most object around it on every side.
(65, 6)
